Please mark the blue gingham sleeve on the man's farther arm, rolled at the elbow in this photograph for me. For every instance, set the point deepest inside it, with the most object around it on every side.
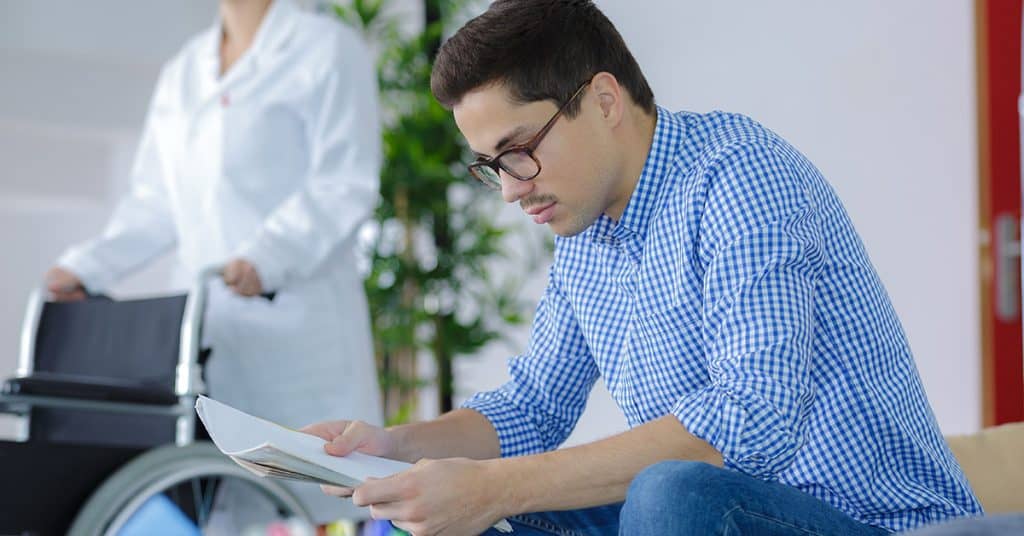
(537, 410)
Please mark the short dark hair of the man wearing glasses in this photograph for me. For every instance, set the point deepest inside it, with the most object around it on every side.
(540, 51)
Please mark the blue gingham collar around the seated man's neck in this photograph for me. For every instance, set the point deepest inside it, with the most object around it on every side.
(669, 134)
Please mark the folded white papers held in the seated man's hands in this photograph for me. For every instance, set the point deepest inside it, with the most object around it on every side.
(272, 450)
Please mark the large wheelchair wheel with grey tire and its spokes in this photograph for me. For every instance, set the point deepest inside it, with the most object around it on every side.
(186, 477)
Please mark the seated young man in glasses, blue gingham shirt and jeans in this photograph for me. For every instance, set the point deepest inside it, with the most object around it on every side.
(708, 273)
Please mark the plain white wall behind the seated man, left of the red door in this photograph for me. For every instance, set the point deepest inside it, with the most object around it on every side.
(881, 96)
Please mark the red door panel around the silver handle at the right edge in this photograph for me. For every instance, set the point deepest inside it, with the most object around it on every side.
(999, 56)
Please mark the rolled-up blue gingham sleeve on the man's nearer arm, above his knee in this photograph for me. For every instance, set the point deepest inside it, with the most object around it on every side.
(761, 250)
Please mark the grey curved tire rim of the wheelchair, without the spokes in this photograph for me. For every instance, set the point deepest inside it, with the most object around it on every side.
(152, 473)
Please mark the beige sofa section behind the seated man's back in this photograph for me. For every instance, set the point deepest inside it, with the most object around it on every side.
(994, 463)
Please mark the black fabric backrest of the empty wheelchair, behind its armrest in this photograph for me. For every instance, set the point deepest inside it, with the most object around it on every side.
(131, 343)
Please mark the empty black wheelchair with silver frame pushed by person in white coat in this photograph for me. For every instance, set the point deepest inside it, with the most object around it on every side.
(107, 438)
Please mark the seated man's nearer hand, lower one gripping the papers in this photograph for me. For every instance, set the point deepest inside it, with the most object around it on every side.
(453, 497)
